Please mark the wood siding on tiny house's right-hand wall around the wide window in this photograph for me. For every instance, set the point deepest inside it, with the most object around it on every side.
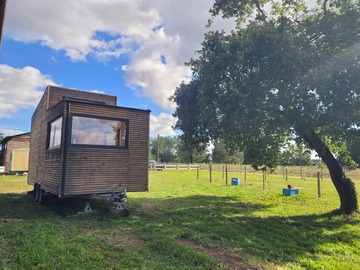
(100, 170)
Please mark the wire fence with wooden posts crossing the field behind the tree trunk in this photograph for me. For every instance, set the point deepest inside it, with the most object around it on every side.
(313, 180)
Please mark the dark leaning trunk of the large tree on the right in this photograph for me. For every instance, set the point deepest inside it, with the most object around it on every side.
(344, 186)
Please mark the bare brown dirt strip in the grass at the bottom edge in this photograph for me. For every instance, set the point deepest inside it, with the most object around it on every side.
(233, 260)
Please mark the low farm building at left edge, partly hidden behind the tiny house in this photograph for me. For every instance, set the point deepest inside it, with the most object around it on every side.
(14, 155)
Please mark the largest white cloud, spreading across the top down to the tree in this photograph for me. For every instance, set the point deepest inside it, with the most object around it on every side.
(106, 29)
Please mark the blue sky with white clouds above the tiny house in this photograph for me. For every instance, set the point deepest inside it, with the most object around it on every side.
(133, 49)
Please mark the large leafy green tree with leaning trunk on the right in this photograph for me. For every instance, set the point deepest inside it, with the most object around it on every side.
(289, 72)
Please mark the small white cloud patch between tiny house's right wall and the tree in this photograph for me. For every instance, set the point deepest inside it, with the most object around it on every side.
(162, 124)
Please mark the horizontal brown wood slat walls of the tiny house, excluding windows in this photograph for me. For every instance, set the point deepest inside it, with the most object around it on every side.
(87, 170)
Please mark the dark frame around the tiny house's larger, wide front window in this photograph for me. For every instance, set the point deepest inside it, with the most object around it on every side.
(126, 146)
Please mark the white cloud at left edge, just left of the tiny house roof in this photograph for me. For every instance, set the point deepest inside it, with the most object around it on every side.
(20, 88)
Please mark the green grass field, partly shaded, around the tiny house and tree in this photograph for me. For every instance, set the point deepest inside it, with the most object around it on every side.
(183, 223)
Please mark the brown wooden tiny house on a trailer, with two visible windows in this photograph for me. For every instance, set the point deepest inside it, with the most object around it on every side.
(83, 144)
